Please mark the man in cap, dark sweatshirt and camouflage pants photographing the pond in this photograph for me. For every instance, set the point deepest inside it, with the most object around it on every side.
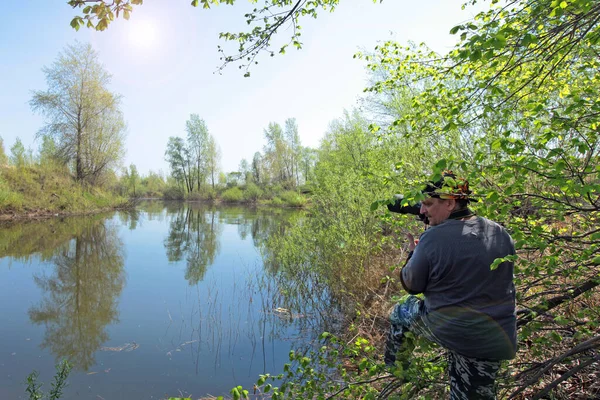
(469, 308)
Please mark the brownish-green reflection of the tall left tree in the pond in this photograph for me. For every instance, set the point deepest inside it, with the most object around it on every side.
(80, 296)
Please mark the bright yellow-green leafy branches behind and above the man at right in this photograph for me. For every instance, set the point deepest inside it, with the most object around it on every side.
(521, 86)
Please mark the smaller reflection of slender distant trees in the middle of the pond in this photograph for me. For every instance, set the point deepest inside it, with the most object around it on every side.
(194, 235)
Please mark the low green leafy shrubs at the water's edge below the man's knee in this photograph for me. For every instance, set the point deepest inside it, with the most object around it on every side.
(319, 374)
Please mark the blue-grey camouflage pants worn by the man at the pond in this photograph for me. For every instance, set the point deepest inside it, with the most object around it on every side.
(470, 378)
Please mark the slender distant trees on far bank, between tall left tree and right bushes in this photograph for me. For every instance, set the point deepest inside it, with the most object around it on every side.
(277, 175)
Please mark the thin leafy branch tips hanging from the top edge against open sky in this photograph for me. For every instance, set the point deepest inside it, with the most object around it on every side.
(264, 23)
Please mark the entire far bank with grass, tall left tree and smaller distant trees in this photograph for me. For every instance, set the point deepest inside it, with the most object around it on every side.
(82, 148)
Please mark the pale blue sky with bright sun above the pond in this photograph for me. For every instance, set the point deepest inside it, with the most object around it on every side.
(163, 62)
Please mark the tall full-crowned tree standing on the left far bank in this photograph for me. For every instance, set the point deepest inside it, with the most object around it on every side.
(83, 116)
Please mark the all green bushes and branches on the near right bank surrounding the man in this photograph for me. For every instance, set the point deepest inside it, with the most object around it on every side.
(513, 109)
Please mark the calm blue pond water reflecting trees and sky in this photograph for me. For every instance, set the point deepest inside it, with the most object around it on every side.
(166, 301)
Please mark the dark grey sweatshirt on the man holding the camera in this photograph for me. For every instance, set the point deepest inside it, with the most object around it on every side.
(470, 308)
